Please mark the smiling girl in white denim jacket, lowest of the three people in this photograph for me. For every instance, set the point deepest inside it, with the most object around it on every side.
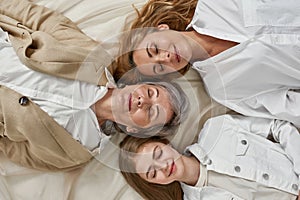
(223, 164)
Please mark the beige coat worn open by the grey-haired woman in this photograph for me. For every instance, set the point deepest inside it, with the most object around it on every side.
(48, 42)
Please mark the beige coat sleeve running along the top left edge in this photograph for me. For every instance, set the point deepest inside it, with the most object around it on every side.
(39, 18)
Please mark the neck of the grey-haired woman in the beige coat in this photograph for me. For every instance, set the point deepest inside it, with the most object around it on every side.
(103, 108)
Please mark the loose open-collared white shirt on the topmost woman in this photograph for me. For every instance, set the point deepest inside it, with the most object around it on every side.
(260, 76)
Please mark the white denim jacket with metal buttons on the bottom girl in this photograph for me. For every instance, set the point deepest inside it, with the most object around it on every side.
(237, 146)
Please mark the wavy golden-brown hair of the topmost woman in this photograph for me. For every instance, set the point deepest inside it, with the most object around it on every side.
(176, 13)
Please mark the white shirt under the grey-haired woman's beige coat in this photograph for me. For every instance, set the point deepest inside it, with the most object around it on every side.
(68, 102)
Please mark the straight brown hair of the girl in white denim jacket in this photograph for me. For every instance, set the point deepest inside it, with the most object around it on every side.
(150, 191)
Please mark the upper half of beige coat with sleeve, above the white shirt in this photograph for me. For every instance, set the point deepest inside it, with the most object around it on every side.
(48, 42)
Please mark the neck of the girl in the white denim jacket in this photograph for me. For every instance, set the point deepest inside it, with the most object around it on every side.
(191, 170)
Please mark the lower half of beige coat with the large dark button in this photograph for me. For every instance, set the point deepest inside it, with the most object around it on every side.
(30, 137)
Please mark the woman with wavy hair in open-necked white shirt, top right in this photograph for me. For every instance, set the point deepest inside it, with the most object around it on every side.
(247, 55)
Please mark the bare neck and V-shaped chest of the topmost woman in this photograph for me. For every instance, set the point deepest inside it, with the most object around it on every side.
(210, 45)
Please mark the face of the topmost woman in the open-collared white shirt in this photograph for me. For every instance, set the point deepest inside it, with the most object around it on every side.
(162, 52)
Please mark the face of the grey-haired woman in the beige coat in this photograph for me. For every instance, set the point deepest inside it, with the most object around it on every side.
(142, 106)
